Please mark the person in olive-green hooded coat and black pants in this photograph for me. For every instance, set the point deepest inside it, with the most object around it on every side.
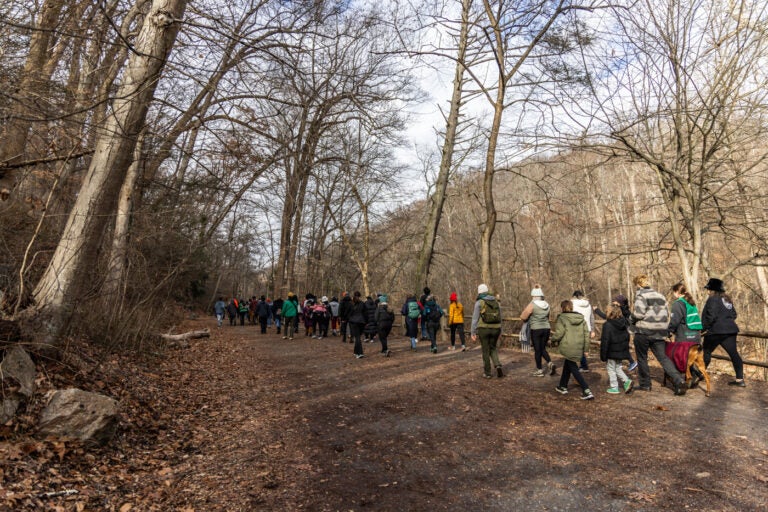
(572, 334)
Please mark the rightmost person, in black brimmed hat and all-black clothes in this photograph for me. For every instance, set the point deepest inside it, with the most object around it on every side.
(720, 329)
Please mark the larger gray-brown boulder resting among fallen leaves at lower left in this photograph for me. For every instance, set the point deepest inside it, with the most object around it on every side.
(79, 414)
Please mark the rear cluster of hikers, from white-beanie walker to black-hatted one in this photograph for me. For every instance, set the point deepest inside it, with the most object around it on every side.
(652, 321)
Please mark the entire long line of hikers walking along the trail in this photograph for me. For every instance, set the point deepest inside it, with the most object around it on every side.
(651, 321)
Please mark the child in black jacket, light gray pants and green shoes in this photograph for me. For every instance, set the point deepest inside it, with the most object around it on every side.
(614, 347)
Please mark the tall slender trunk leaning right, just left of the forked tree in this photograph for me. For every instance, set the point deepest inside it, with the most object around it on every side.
(438, 198)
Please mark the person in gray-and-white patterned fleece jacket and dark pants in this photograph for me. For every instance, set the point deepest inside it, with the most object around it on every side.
(650, 317)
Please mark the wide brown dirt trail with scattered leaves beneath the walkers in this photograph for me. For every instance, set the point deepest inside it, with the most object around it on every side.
(254, 422)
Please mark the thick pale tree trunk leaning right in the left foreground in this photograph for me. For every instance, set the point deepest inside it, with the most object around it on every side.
(57, 290)
